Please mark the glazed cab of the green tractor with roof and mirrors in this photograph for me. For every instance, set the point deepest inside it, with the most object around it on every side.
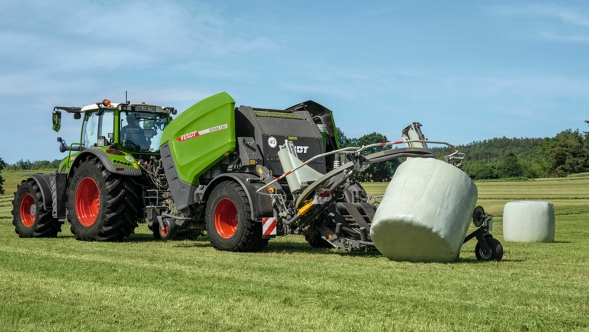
(133, 128)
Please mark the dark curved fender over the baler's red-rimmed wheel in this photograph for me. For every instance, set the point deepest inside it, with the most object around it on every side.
(261, 204)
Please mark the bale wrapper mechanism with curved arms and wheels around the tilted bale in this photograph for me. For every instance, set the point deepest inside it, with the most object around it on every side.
(323, 214)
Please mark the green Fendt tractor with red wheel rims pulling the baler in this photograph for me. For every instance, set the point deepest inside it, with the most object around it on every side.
(97, 187)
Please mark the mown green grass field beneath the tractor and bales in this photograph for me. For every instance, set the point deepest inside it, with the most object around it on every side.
(142, 284)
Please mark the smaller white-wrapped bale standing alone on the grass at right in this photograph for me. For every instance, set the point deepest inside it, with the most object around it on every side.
(528, 221)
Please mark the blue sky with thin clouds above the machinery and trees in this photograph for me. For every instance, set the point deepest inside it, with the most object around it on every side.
(467, 70)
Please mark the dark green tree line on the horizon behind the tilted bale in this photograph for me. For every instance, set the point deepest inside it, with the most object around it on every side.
(566, 153)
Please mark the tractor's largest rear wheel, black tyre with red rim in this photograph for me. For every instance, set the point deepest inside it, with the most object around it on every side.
(102, 206)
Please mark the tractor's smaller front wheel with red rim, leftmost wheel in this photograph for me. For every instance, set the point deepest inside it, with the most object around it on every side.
(29, 217)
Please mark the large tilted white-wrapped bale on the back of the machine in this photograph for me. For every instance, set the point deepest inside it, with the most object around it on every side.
(425, 212)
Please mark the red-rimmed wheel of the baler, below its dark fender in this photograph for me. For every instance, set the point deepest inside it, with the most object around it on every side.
(228, 220)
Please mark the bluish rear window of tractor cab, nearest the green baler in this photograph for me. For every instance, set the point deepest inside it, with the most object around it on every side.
(142, 131)
